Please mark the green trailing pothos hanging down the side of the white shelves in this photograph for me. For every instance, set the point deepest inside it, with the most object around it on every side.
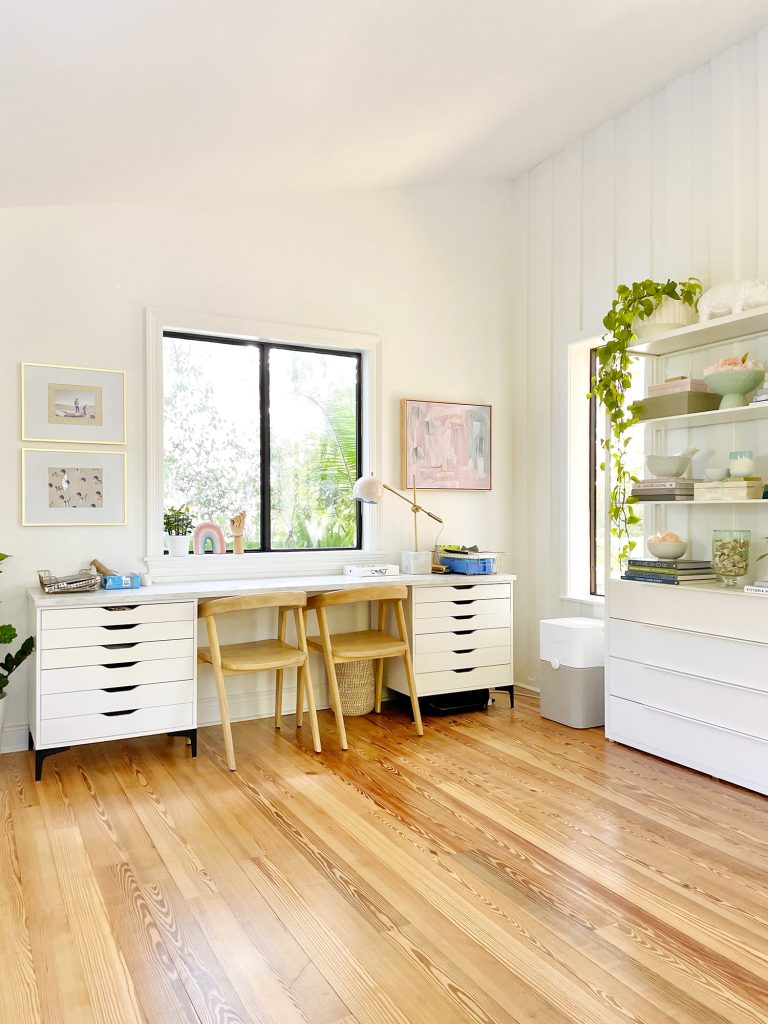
(614, 379)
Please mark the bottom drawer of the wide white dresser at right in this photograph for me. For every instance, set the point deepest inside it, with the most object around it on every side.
(731, 756)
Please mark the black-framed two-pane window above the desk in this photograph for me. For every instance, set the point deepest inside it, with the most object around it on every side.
(272, 430)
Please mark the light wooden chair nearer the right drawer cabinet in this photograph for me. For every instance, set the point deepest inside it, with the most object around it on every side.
(364, 646)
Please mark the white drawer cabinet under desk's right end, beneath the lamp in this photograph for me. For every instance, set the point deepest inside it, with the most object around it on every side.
(461, 636)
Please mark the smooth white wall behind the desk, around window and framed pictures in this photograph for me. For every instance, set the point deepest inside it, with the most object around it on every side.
(428, 270)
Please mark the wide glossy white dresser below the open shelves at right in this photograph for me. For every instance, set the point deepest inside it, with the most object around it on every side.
(688, 678)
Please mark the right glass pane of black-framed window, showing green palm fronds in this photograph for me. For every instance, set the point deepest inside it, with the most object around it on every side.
(314, 450)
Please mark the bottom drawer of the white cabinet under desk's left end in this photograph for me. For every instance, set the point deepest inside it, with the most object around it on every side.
(91, 729)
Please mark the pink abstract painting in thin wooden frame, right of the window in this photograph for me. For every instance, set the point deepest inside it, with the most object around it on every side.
(446, 446)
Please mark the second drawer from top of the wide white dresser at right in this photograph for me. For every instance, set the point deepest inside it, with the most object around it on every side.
(696, 654)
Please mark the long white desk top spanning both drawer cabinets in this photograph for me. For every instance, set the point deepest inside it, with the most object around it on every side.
(163, 592)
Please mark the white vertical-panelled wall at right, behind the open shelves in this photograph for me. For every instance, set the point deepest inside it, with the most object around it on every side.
(676, 186)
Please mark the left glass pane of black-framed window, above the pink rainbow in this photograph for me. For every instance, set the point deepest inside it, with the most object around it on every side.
(211, 432)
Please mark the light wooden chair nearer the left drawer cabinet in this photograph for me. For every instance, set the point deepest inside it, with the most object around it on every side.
(261, 656)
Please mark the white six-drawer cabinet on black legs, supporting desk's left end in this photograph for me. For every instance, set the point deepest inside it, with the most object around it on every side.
(111, 672)
